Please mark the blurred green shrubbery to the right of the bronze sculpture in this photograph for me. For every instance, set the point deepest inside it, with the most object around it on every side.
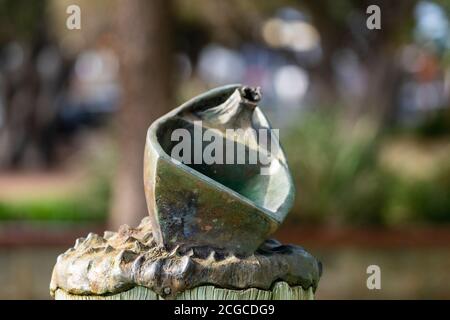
(340, 179)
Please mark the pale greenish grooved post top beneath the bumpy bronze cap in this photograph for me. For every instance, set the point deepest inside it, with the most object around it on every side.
(281, 291)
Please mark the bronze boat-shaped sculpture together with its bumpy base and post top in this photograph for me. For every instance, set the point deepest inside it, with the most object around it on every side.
(216, 190)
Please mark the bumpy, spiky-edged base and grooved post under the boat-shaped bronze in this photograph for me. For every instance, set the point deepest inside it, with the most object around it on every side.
(128, 265)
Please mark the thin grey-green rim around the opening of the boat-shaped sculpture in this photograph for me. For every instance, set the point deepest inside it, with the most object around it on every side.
(152, 141)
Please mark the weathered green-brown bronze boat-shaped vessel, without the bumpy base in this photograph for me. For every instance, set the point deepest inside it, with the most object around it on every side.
(230, 205)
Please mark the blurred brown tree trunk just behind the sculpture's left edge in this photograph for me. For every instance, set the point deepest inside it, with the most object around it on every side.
(145, 53)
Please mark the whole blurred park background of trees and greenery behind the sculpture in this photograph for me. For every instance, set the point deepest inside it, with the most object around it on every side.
(363, 115)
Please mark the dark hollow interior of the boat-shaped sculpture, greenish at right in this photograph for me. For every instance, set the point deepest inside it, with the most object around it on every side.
(266, 185)
